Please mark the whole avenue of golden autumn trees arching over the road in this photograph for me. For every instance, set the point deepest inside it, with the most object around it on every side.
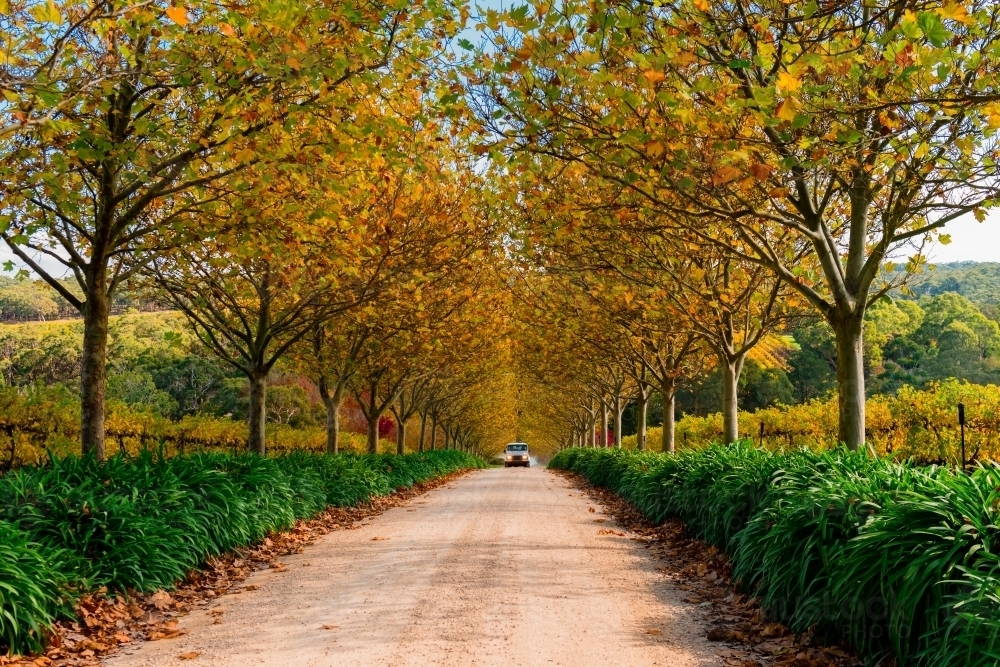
(595, 206)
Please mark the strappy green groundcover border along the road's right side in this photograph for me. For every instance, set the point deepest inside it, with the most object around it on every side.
(894, 559)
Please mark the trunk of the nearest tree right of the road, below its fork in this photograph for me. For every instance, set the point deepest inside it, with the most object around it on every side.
(850, 382)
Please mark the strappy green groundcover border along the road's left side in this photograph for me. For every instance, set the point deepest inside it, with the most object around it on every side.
(142, 524)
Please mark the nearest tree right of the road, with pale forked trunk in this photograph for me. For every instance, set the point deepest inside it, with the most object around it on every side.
(849, 131)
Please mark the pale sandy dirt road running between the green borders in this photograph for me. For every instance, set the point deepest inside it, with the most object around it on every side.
(501, 567)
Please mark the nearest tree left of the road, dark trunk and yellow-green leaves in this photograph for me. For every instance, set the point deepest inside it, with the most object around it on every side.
(127, 170)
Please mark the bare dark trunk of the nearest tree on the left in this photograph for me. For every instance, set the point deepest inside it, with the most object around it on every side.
(92, 377)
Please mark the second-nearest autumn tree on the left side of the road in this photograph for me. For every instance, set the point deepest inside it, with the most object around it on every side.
(253, 292)
